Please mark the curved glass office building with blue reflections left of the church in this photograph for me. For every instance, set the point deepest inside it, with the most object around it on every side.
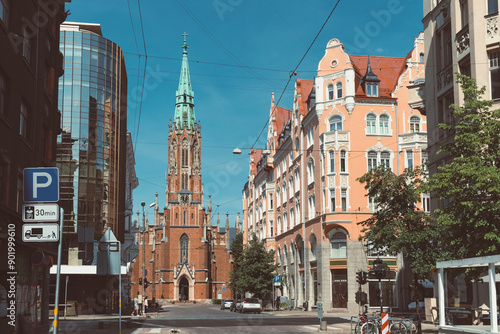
(92, 144)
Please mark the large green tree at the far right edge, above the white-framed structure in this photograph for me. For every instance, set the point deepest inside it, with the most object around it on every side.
(469, 183)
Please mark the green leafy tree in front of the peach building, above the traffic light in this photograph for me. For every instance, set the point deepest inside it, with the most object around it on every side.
(397, 225)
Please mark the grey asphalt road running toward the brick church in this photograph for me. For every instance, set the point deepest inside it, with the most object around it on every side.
(201, 318)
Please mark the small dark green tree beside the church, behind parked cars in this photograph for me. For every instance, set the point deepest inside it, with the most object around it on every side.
(258, 268)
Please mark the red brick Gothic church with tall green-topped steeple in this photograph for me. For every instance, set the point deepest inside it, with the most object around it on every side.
(185, 255)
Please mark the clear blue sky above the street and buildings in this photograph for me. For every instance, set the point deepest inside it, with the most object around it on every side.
(240, 52)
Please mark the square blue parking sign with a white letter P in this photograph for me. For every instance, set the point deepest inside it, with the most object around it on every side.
(41, 184)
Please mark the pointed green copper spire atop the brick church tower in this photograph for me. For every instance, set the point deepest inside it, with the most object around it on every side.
(184, 103)
